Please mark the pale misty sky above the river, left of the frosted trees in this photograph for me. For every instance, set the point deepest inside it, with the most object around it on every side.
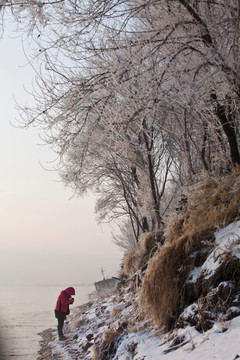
(46, 237)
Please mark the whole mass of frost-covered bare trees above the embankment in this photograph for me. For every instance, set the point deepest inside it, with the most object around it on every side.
(137, 98)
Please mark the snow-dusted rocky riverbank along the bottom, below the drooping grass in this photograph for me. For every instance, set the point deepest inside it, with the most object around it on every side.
(128, 338)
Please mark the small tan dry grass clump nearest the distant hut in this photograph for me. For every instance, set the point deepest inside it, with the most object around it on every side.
(137, 258)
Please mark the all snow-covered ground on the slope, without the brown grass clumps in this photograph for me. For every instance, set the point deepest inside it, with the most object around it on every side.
(114, 328)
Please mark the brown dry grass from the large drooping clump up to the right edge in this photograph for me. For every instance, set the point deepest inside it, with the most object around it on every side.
(214, 204)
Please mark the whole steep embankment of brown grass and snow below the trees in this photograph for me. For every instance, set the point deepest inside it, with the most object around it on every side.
(181, 299)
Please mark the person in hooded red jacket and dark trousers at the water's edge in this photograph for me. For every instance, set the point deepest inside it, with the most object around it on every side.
(62, 308)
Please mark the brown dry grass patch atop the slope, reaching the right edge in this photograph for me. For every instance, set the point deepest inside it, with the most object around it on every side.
(214, 203)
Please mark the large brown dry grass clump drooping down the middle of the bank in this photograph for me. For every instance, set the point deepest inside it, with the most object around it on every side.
(164, 279)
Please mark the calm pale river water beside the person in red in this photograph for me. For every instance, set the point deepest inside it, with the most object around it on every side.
(24, 312)
